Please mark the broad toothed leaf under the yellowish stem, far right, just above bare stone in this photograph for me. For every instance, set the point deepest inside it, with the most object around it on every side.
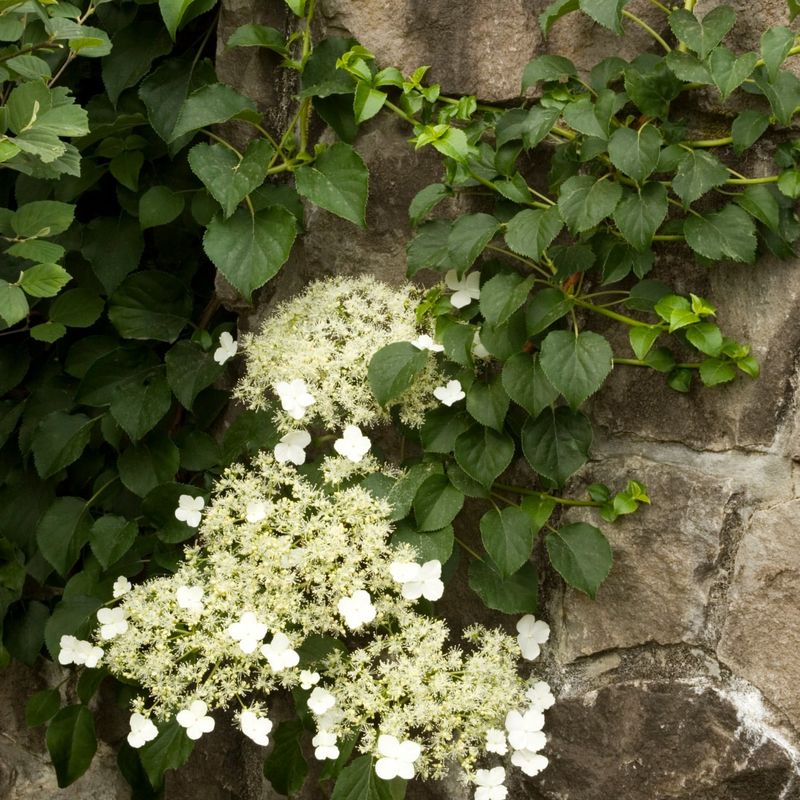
(726, 234)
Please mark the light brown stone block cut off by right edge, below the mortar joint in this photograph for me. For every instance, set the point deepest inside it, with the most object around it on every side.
(761, 637)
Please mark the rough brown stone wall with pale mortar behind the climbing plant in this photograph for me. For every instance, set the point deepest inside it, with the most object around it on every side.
(683, 679)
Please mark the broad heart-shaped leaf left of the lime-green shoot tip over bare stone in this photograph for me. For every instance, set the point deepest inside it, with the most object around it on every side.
(578, 365)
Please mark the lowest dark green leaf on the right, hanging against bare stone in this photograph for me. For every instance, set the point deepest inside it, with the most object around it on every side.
(581, 555)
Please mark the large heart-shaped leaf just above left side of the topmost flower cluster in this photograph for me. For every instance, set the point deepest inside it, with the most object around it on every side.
(250, 249)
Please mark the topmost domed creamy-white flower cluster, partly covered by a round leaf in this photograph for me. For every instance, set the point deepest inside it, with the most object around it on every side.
(313, 353)
